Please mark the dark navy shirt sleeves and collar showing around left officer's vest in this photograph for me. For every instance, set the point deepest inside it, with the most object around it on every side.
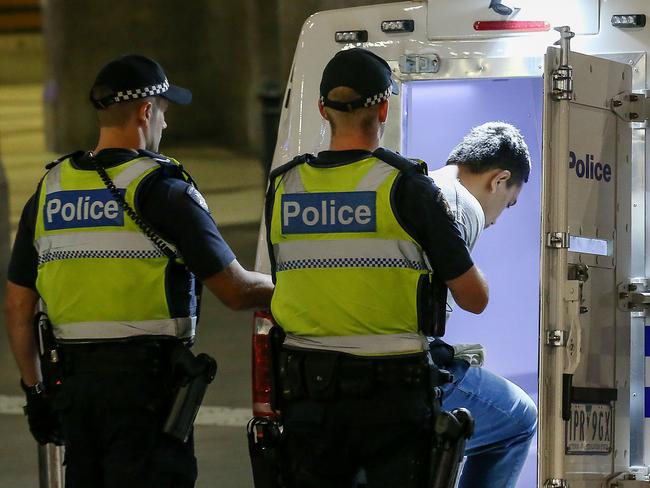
(168, 204)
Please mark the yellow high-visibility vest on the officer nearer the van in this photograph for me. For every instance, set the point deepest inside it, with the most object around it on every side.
(347, 273)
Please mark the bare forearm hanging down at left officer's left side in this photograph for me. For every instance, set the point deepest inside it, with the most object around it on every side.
(20, 307)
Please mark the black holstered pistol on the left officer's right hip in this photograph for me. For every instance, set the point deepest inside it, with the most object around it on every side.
(193, 375)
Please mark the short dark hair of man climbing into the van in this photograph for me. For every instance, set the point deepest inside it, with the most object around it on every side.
(494, 145)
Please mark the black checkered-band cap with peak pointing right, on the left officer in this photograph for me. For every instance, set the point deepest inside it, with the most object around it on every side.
(134, 76)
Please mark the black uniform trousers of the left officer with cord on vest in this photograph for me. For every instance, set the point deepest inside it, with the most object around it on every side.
(112, 404)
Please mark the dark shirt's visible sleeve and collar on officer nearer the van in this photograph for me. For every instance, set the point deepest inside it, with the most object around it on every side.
(432, 226)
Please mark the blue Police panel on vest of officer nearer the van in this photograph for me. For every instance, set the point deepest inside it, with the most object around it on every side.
(319, 213)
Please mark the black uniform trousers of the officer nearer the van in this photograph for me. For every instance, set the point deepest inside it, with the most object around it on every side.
(347, 417)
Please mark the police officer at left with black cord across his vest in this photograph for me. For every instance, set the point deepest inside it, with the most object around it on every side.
(116, 243)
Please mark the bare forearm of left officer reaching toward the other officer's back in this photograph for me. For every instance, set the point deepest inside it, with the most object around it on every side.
(238, 288)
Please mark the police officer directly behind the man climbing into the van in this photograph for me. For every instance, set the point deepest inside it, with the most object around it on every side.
(354, 235)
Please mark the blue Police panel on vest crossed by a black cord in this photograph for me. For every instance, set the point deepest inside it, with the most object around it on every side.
(82, 208)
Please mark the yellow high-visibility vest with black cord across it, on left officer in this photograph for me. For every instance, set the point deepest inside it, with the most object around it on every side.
(100, 276)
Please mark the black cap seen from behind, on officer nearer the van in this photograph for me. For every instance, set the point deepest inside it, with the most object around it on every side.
(364, 72)
